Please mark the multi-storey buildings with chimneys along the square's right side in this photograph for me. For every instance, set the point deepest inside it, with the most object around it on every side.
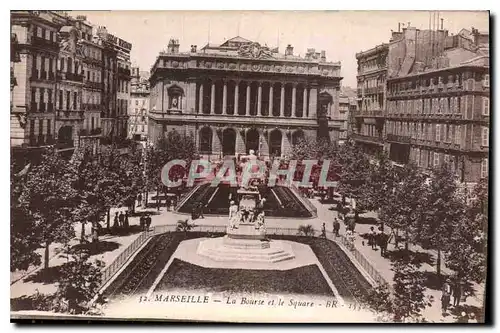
(425, 97)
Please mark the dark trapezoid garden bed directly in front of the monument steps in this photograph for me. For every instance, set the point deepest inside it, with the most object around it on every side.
(184, 275)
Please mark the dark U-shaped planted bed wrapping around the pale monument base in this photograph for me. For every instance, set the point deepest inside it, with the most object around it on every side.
(141, 273)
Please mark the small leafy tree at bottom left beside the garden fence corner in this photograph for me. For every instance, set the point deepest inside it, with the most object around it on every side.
(79, 283)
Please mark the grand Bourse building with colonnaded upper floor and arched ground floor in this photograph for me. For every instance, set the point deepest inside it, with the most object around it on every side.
(241, 95)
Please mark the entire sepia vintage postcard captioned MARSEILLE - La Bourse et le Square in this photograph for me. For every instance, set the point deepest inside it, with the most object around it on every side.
(250, 166)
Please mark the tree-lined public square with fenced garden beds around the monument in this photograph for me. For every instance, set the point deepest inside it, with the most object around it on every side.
(109, 230)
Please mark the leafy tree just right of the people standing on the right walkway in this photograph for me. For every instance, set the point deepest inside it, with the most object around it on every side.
(403, 203)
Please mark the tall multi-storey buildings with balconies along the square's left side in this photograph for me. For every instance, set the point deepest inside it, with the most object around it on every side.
(69, 82)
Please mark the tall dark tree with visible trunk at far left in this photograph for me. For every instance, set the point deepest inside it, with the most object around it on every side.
(49, 198)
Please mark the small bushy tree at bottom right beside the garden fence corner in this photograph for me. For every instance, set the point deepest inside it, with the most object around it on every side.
(409, 291)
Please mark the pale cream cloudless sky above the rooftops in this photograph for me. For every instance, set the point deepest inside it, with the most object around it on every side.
(340, 33)
